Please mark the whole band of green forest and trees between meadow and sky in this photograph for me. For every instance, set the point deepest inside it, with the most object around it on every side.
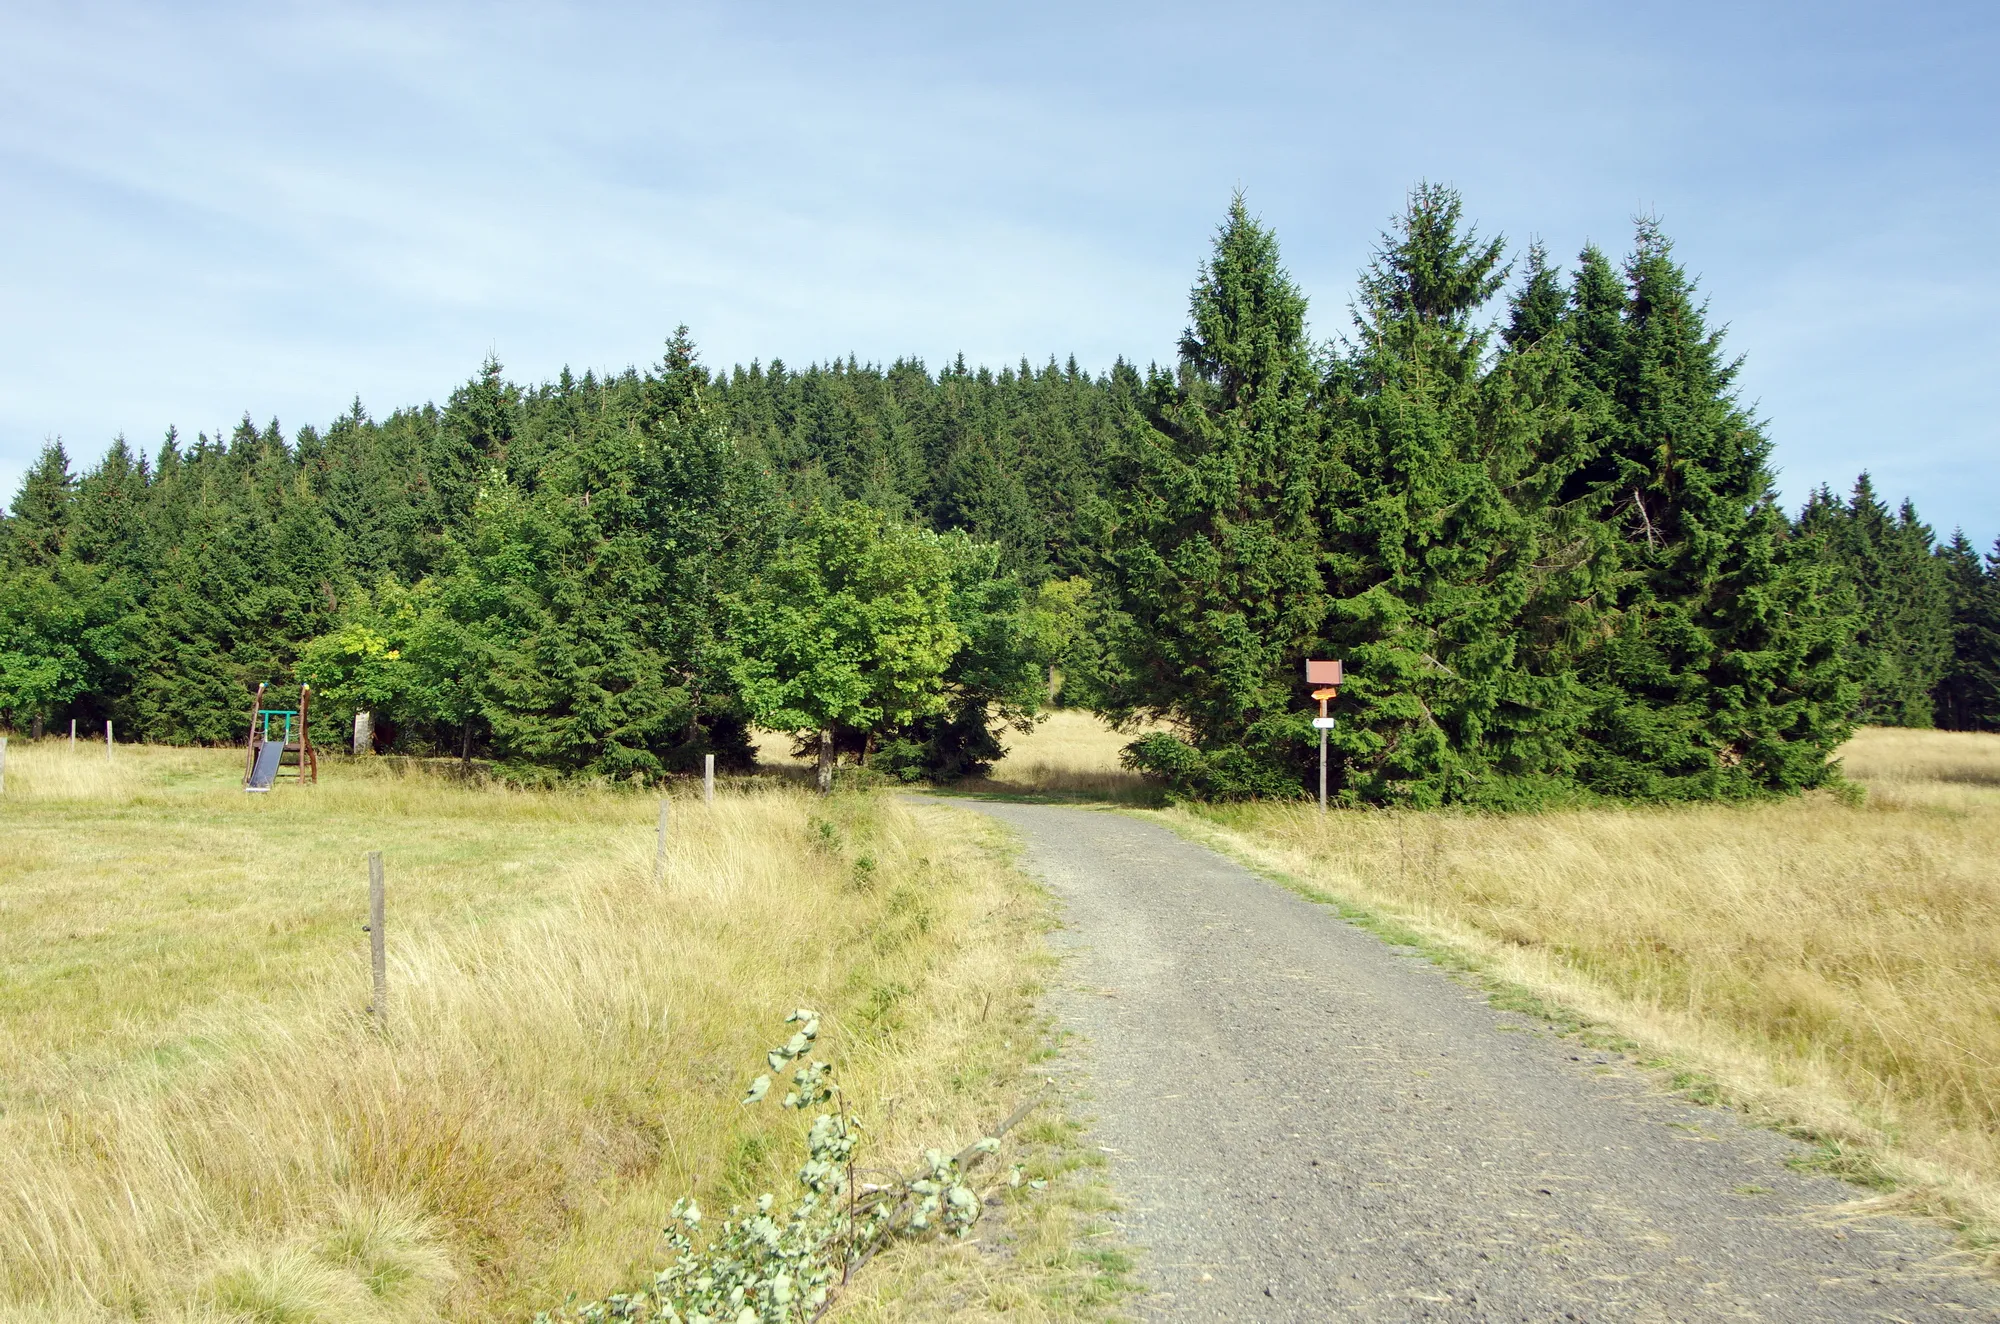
(1521, 501)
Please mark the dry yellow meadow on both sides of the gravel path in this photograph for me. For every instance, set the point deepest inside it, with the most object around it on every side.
(199, 1119)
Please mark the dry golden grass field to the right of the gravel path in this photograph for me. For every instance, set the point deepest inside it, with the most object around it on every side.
(1827, 967)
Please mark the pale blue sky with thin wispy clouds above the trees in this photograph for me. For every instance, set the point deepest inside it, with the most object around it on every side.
(279, 209)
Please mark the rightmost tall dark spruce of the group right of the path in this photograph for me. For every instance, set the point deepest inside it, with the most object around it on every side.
(1721, 671)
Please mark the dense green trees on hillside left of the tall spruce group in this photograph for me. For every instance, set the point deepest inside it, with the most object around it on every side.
(563, 577)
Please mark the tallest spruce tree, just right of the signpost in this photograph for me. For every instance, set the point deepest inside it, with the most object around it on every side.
(1455, 559)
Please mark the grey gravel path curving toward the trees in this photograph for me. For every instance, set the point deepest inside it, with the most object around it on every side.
(1309, 1125)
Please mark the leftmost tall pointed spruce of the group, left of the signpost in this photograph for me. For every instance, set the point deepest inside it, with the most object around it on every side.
(1217, 537)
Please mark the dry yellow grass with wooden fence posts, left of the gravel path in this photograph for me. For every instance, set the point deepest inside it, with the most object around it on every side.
(199, 1123)
